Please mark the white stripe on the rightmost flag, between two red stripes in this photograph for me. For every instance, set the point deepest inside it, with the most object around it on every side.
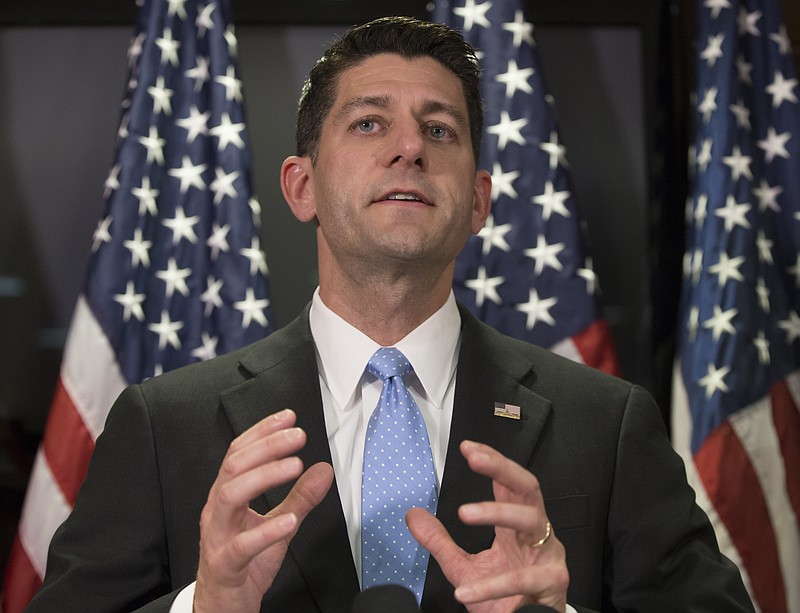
(756, 430)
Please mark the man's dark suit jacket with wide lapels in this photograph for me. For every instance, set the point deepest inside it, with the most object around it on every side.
(614, 489)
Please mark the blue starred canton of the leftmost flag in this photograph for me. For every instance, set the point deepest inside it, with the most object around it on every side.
(177, 273)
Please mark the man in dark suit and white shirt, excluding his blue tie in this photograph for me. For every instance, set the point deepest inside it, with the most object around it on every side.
(235, 484)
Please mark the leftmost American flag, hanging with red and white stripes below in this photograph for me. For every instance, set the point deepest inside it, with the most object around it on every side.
(176, 275)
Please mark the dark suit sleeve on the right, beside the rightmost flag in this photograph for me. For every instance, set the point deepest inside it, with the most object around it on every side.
(662, 548)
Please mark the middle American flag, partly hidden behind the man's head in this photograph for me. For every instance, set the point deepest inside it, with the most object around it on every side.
(527, 273)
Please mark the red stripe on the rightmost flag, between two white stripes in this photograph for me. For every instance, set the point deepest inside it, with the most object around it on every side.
(736, 494)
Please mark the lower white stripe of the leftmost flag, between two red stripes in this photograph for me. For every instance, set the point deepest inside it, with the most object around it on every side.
(44, 510)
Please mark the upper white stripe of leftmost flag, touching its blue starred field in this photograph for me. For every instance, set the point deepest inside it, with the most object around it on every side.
(89, 371)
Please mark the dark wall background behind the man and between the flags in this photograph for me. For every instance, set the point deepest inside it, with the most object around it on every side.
(620, 72)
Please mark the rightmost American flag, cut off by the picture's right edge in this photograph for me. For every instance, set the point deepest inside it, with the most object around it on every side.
(736, 386)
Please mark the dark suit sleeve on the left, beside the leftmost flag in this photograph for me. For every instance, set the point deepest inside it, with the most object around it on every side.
(111, 553)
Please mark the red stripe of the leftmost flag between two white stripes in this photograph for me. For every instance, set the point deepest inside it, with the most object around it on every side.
(67, 444)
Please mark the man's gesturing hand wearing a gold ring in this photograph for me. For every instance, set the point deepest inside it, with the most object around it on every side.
(526, 563)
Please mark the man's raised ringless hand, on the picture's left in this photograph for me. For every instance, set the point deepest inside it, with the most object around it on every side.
(240, 550)
